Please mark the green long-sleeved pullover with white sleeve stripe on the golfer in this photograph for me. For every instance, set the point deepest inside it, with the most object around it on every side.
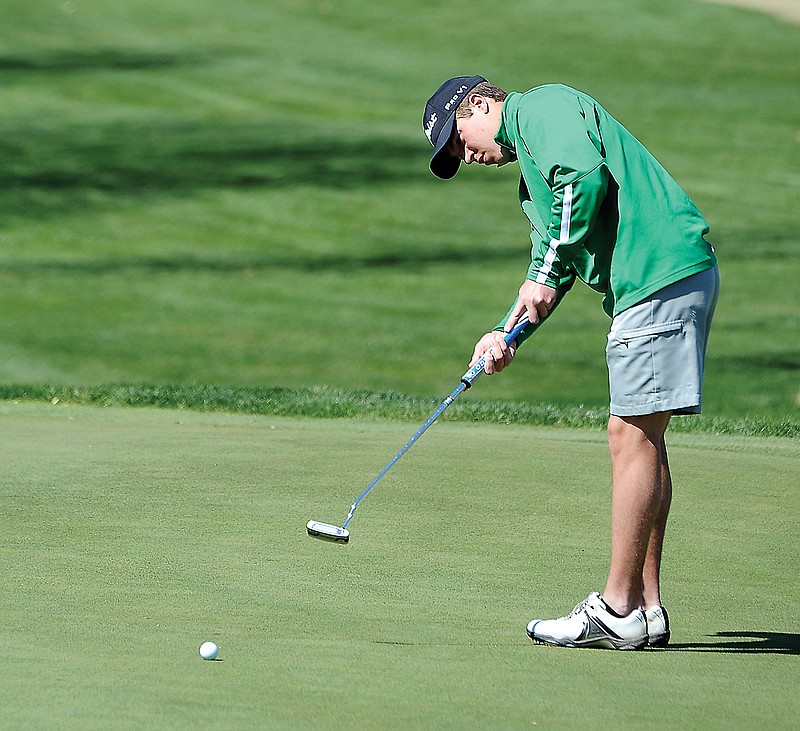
(601, 207)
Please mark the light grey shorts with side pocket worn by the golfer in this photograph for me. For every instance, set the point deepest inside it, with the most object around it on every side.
(656, 349)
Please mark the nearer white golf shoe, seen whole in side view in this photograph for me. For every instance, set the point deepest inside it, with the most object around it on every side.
(591, 624)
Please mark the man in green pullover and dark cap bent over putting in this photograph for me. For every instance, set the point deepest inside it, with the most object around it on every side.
(602, 210)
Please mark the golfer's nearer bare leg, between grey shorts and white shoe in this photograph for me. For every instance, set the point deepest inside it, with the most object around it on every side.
(636, 444)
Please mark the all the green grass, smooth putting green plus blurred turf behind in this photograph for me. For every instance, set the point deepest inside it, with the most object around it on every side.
(226, 206)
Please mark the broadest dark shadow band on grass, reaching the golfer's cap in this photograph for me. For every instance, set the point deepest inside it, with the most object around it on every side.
(50, 168)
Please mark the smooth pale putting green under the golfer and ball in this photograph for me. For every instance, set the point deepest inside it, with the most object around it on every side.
(131, 535)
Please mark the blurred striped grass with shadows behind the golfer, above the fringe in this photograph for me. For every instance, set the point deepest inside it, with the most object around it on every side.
(237, 193)
